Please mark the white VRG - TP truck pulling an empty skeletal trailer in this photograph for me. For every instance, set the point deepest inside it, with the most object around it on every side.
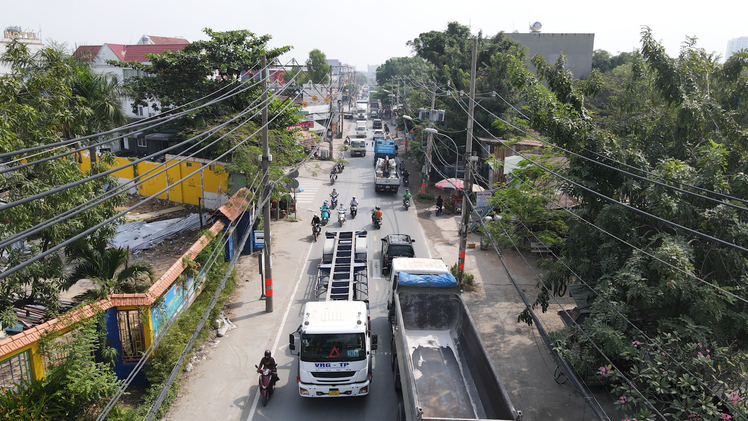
(336, 345)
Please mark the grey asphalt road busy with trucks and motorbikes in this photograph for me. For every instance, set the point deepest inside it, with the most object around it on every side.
(224, 385)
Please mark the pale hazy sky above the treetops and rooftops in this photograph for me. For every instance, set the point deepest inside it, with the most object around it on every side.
(370, 32)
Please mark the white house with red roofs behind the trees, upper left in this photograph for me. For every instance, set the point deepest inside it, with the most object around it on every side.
(100, 54)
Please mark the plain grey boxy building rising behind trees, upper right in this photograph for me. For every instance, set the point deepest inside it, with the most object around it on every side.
(577, 48)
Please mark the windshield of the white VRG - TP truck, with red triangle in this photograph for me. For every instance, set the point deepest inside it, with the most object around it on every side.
(333, 347)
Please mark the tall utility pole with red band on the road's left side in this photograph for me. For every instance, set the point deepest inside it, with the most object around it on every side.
(266, 158)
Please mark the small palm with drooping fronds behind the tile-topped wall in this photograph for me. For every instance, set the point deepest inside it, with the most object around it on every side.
(108, 270)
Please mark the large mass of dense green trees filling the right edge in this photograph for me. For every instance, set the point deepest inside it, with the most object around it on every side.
(676, 120)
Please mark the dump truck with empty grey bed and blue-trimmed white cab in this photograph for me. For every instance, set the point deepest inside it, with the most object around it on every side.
(438, 358)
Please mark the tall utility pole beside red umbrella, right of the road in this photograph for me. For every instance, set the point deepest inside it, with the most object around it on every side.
(466, 209)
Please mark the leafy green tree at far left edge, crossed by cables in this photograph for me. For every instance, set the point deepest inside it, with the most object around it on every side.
(39, 107)
